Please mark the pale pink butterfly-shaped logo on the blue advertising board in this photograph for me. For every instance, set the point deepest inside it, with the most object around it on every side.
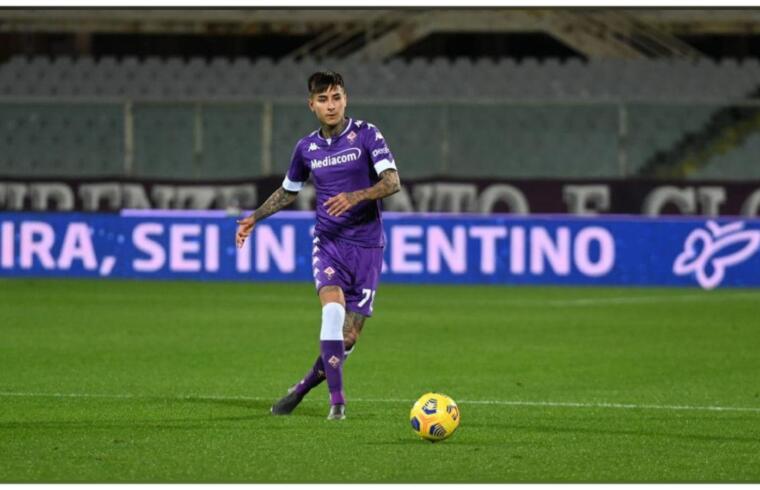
(707, 253)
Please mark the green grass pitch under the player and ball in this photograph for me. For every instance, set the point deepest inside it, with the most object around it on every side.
(113, 381)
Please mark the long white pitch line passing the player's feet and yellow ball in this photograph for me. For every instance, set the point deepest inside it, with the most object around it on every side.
(629, 406)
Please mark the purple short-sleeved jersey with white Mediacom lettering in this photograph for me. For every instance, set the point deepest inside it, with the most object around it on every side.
(348, 162)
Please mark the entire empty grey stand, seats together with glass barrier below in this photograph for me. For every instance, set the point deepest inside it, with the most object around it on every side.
(545, 118)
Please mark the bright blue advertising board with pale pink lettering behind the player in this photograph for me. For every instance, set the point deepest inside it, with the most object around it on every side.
(424, 248)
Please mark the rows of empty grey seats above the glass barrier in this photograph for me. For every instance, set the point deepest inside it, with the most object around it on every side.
(549, 79)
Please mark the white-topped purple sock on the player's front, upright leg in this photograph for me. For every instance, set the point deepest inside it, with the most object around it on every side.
(331, 349)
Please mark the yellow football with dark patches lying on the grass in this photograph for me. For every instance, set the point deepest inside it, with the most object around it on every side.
(434, 416)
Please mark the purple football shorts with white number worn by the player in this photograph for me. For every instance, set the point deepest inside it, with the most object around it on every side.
(354, 268)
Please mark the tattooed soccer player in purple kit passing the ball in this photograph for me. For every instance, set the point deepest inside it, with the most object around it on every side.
(352, 168)
